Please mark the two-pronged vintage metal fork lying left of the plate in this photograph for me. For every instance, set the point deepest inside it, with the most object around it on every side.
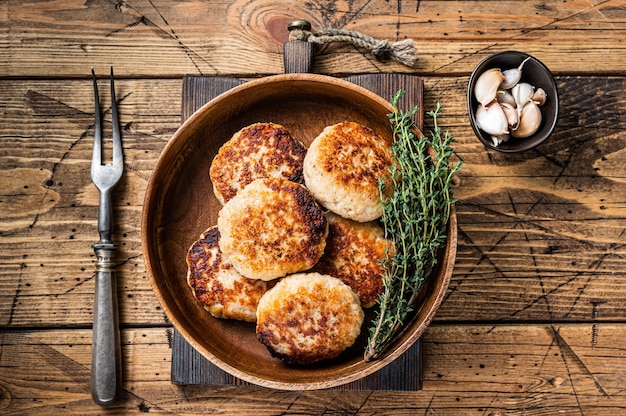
(106, 375)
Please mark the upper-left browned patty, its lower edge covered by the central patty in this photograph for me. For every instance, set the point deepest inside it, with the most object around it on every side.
(260, 150)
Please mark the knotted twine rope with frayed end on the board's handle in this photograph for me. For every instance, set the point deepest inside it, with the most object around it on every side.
(403, 51)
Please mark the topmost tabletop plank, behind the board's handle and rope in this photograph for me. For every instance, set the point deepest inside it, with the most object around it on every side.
(170, 38)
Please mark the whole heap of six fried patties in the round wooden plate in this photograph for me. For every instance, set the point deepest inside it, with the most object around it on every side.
(276, 256)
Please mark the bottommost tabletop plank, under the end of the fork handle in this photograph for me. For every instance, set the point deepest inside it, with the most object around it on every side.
(502, 369)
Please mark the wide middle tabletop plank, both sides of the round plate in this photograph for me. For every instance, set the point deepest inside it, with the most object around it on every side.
(544, 228)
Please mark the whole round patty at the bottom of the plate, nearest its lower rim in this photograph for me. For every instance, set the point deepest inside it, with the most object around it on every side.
(308, 317)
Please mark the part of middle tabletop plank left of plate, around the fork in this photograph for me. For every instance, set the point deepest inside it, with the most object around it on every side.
(49, 205)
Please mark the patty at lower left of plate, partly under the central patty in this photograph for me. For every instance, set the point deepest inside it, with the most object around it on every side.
(213, 280)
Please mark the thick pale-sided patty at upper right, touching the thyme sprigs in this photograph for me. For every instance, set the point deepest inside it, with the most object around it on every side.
(342, 168)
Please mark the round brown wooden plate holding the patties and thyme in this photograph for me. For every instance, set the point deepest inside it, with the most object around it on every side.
(179, 205)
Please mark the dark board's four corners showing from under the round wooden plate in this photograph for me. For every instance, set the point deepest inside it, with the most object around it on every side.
(188, 365)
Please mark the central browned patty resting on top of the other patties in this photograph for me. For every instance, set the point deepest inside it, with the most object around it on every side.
(272, 228)
